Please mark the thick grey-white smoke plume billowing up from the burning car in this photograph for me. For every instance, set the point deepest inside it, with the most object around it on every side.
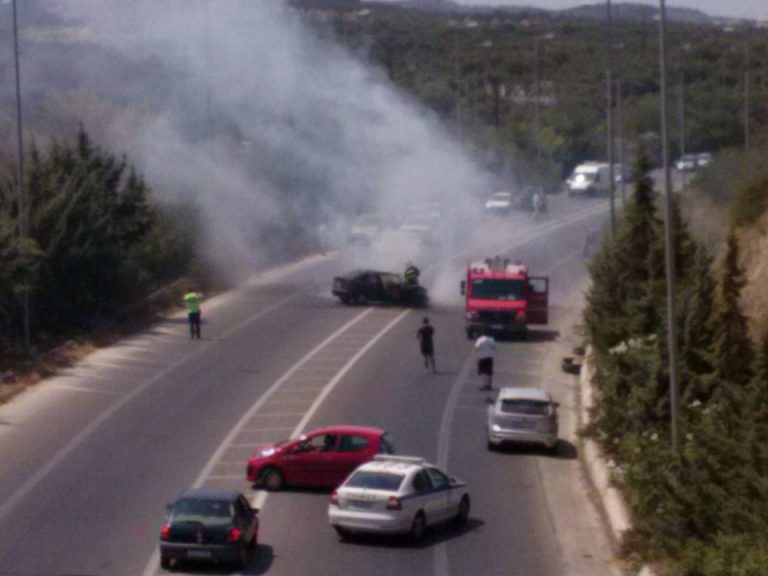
(242, 108)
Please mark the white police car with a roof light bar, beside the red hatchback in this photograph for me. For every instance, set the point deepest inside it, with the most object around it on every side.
(397, 495)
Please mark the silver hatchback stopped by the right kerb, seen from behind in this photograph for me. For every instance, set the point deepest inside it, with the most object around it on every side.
(523, 415)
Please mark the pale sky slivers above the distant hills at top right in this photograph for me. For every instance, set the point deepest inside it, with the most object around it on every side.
(731, 8)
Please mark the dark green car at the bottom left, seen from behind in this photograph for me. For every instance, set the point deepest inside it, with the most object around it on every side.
(211, 526)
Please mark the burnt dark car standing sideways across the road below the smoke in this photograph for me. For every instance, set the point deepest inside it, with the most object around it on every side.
(364, 286)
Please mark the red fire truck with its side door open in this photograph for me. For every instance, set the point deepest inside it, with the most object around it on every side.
(501, 297)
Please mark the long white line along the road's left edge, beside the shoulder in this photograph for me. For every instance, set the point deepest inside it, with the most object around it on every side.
(15, 499)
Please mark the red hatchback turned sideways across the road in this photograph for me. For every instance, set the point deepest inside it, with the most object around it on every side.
(324, 457)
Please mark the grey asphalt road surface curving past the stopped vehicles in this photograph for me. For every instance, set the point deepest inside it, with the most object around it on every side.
(90, 458)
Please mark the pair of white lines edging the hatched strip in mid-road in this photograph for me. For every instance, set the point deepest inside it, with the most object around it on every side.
(260, 499)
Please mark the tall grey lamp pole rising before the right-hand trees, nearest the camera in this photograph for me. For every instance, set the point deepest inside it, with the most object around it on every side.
(674, 395)
